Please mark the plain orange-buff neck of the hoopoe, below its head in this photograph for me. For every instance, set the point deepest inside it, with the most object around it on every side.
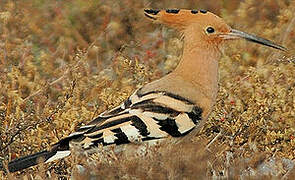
(199, 66)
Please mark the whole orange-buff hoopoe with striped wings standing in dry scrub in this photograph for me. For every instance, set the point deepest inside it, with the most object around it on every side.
(172, 106)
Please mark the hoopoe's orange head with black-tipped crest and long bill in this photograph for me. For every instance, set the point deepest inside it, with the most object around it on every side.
(203, 27)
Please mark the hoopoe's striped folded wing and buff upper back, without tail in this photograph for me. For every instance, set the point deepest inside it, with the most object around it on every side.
(155, 111)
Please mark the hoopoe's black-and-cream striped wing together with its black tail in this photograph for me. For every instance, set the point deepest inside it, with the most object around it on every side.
(142, 117)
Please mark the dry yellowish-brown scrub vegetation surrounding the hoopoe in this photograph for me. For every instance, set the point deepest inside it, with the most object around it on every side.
(64, 62)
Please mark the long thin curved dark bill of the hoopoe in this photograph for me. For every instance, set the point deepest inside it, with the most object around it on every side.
(234, 34)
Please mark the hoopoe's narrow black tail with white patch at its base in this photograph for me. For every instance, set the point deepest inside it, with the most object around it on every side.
(34, 159)
